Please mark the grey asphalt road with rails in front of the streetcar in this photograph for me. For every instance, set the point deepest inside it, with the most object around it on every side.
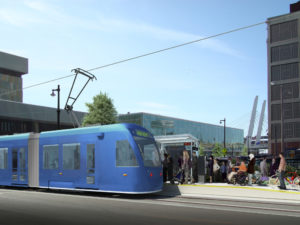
(24, 207)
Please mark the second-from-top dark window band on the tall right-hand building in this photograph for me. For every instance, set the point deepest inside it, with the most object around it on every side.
(284, 52)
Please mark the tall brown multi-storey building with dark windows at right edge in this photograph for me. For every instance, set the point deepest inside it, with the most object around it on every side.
(283, 81)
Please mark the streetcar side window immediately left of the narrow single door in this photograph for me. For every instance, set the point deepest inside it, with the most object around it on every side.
(71, 156)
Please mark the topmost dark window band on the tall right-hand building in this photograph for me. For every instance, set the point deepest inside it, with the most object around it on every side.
(284, 31)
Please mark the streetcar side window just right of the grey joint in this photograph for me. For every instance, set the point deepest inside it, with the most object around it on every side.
(50, 156)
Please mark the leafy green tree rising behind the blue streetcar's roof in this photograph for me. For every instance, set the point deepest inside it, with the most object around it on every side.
(101, 111)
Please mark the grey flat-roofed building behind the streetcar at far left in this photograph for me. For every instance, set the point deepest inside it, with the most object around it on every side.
(17, 117)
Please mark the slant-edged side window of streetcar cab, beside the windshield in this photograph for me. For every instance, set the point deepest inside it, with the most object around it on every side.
(124, 154)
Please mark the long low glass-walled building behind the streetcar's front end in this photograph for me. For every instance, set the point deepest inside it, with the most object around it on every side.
(163, 125)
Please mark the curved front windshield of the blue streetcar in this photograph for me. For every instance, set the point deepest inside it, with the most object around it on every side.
(148, 151)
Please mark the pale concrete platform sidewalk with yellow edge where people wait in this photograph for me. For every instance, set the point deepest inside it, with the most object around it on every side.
(233, 192)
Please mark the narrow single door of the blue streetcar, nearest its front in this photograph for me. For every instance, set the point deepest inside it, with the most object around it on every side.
(90, 166)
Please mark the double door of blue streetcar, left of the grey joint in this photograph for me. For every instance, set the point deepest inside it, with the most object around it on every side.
(19, 166)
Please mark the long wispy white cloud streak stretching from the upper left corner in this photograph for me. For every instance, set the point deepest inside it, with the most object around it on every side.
(40, 12)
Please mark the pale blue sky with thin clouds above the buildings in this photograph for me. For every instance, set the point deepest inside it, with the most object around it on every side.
(206, 81)
